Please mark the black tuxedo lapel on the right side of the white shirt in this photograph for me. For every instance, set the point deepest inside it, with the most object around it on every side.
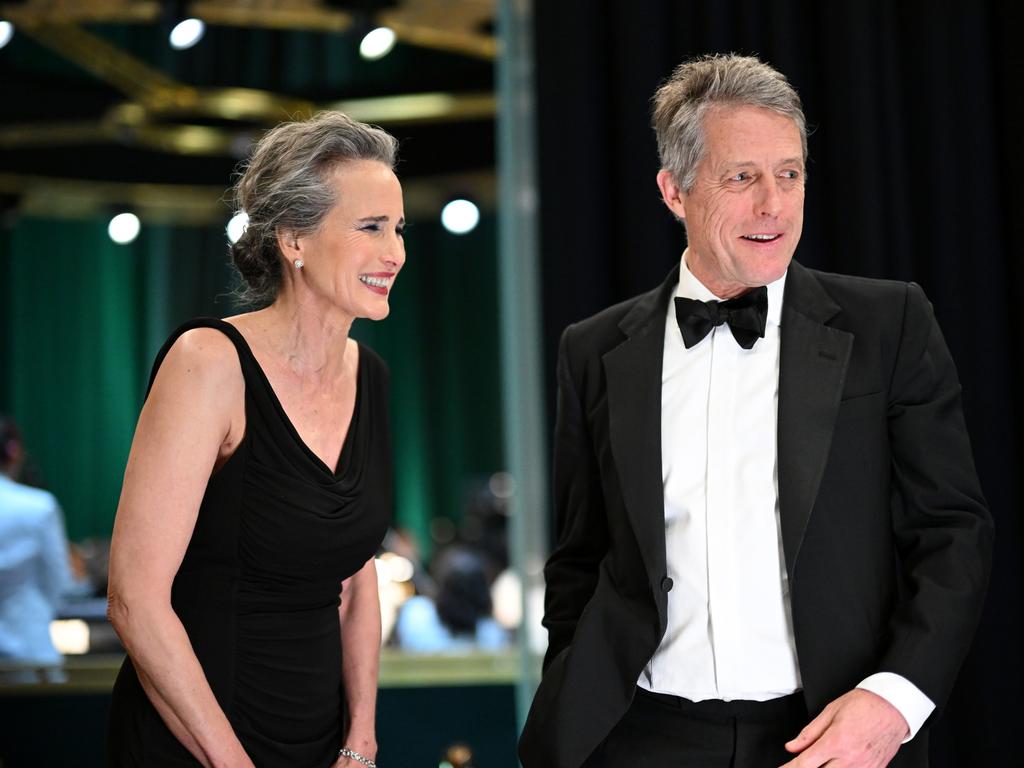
(813, 371)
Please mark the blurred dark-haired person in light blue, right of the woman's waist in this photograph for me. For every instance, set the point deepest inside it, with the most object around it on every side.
(460, 620)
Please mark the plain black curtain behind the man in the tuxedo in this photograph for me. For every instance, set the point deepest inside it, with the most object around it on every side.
(915, 175)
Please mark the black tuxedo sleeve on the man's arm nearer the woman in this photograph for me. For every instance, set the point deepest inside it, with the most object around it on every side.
(581, 524)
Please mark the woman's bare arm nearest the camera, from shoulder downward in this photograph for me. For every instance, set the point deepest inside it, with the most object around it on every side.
(194, 413)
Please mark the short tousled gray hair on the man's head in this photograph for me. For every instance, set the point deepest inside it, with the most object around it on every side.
(718, 80)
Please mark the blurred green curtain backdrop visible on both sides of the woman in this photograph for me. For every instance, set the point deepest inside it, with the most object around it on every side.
(83, 319)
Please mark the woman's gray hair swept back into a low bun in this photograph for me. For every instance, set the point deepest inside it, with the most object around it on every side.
(286, 187)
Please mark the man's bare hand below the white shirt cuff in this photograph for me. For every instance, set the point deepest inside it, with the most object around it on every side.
(860, 730)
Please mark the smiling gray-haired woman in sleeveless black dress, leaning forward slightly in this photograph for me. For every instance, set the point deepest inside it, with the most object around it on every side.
(259, 487)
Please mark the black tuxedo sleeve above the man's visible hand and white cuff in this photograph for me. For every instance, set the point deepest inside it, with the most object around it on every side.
(942, 523)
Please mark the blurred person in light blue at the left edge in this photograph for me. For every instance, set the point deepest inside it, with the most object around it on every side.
(34, 570)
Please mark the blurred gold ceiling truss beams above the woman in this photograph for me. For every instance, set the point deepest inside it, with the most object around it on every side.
(157, 109)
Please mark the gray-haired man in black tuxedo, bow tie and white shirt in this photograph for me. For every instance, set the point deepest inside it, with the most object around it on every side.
(773, 547)
